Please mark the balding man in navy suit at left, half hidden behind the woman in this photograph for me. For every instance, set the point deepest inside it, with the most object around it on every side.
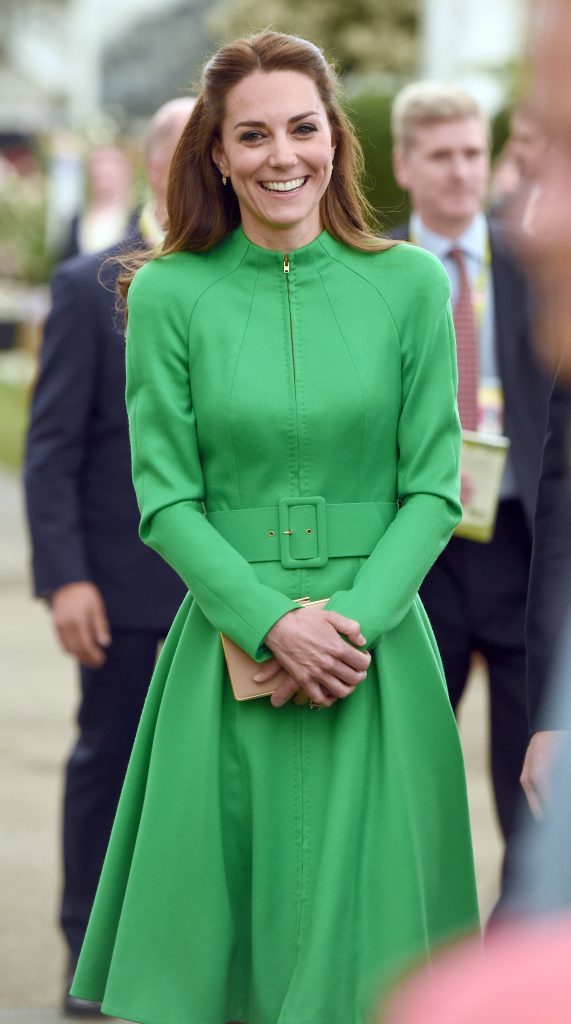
(112, 600)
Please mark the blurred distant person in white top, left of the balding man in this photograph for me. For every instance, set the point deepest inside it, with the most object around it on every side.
(108, 214)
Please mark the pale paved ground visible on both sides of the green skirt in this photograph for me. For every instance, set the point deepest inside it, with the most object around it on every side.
(37, 704)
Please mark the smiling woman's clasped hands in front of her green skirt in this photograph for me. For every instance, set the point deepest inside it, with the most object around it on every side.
(316, 648)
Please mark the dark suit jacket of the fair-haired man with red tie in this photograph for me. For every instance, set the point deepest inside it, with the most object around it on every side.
(526, 386)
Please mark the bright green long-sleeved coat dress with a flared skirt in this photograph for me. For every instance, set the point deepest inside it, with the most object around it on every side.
(279, 866)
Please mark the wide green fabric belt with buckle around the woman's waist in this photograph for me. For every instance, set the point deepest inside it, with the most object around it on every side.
(304, 533)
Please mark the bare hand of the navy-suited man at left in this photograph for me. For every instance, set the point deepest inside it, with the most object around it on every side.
(81, 623)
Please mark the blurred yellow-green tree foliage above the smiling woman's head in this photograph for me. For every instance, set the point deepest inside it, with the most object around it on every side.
(362, 36)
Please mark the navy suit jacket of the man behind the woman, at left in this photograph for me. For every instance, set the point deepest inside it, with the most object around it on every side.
(82, 509)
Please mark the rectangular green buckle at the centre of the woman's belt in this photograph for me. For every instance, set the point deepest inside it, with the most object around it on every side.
(303, 527)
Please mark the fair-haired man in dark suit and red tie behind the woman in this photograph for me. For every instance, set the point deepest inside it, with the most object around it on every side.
(476, 593)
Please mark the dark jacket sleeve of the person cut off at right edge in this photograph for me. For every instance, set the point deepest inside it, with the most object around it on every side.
(550, 583)
